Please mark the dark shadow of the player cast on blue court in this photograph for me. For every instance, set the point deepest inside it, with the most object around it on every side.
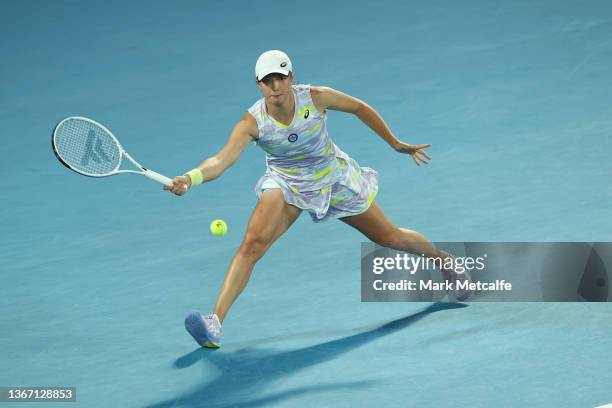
(245, 375)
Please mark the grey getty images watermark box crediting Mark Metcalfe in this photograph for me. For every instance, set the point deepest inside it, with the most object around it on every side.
(500, 271)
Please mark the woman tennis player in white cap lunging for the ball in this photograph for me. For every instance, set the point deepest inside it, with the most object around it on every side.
(305, 171)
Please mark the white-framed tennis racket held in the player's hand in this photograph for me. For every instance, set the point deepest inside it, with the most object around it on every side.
(85, 146)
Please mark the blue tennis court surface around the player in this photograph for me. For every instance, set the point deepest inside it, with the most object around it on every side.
(98, 274)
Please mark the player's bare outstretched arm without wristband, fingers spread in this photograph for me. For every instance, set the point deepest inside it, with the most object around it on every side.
(328, 98)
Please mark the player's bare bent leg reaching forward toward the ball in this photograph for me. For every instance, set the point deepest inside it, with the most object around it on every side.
(270, 219)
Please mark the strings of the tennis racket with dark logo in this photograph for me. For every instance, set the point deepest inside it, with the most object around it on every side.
(86, 147)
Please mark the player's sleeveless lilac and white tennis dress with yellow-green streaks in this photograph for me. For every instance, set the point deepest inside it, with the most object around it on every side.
(313, 173)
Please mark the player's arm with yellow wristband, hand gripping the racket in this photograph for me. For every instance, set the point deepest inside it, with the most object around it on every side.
(244, 131)
